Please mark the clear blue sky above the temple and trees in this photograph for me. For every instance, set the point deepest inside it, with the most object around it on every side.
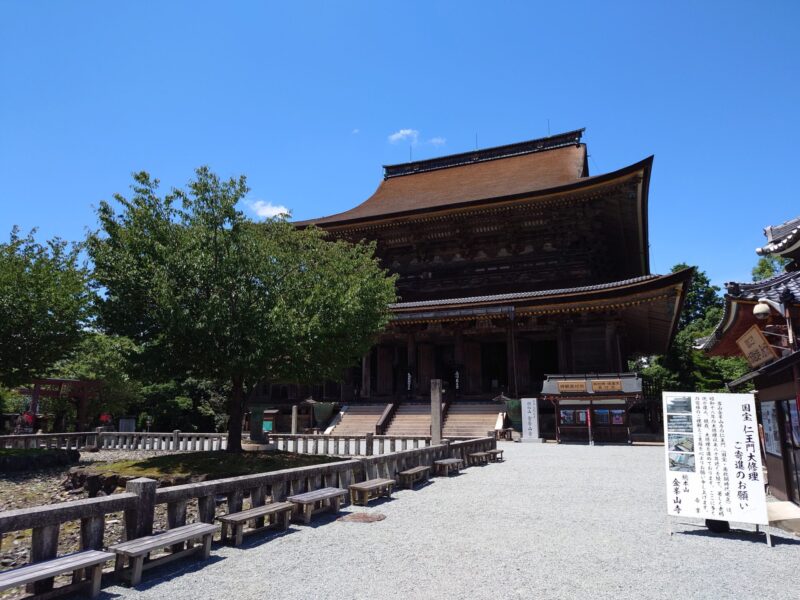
(303, 97)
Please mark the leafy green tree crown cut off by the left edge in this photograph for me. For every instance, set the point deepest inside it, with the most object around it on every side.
(45, 305)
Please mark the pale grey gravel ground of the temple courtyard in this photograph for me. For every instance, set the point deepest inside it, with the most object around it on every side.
(550, 522)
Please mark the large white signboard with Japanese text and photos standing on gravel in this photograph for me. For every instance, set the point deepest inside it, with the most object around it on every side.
(713, 457)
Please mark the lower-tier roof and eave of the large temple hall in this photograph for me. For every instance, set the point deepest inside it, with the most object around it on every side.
(649, 307)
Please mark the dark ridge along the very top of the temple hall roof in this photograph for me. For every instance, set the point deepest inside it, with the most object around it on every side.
(552, 142)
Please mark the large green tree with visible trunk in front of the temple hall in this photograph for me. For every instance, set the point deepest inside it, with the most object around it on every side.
(209, 294)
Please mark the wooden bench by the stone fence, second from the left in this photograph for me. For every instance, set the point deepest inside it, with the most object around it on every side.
(137, 550)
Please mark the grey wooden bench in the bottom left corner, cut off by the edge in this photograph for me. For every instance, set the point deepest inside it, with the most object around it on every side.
(91, 560)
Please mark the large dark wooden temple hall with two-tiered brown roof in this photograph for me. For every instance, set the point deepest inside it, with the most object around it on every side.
(513, 263)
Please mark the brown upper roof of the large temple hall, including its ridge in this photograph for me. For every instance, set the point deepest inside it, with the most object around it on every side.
(473, 176)
